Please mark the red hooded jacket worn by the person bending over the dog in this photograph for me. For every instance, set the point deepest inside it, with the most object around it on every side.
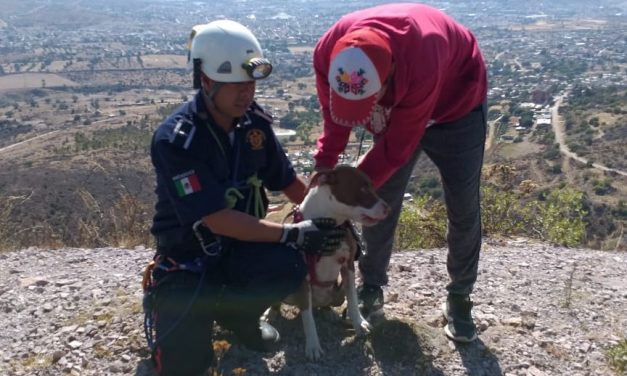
(439, 76)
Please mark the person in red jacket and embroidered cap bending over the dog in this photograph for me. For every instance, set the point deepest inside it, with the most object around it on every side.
(416, 79)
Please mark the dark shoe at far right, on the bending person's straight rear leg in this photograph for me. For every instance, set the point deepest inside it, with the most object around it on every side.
(457, 311)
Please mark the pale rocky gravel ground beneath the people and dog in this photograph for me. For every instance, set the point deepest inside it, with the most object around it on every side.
(542, 310)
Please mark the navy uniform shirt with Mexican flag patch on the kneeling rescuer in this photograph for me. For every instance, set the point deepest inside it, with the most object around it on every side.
(201, 169)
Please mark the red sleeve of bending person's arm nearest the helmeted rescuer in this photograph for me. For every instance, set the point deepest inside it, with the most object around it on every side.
(334, 137)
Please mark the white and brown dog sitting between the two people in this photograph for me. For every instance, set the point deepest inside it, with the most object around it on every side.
(344, 194)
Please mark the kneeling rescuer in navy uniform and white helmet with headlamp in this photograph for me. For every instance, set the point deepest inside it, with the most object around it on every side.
(217, 258)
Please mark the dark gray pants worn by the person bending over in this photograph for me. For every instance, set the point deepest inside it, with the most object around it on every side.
(456, 148)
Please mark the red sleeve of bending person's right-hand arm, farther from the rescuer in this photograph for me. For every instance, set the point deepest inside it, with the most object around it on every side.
(407, 126)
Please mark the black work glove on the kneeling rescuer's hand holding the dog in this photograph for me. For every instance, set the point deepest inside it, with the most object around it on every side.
(313, 236)
